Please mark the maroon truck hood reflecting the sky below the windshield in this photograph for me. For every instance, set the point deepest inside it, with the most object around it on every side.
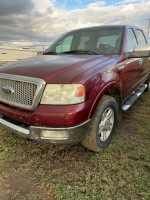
(54, 68)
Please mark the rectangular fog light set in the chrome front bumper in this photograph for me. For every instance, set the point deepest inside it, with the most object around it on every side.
(54, 135)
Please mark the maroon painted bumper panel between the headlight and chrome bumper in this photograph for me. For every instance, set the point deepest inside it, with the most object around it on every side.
(50, 115)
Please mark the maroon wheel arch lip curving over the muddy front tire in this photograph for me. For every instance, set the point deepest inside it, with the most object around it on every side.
(110, 85)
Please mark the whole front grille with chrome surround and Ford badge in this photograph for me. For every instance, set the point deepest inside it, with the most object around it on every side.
(21, 91)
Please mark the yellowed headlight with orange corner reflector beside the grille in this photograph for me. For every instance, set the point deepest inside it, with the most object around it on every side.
(58, 94)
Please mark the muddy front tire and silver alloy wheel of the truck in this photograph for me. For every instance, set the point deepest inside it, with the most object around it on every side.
(102, 125)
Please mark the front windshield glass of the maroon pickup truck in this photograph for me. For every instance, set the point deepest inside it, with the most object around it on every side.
(103, 40)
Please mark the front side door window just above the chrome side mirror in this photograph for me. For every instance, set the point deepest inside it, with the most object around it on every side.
(131, 41)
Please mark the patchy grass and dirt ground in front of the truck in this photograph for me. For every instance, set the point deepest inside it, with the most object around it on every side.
(121, 171)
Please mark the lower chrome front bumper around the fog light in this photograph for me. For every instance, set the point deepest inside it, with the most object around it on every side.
(75, 134)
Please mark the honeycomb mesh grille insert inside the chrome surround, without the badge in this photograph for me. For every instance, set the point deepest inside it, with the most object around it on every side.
(24, 92)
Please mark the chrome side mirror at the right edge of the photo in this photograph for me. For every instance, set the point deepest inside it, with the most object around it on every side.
(140, 51)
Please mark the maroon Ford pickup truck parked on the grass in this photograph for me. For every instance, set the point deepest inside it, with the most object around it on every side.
(78, 89)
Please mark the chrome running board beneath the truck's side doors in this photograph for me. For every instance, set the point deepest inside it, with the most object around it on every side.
(133, 98)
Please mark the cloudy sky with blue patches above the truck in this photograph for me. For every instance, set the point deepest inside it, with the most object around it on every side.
(27, 22)
